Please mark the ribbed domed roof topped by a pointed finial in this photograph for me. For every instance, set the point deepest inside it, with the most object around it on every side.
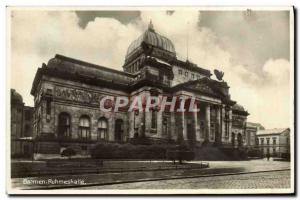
(152, 38)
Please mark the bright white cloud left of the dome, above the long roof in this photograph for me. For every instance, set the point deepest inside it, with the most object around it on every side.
(36, 36)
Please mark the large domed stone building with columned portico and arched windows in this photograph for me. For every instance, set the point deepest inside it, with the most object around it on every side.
(67, 92)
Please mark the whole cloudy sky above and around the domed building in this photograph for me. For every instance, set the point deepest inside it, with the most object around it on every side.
(251, 47)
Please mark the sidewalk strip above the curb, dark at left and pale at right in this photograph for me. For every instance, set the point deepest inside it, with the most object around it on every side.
(216, 168)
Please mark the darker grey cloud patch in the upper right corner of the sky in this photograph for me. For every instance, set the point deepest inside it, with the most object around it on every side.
(252, 37)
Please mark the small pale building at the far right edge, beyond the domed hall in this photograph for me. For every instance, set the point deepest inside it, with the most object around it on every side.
(275, 142)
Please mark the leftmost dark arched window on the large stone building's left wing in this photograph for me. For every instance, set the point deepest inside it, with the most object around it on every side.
(64, 125)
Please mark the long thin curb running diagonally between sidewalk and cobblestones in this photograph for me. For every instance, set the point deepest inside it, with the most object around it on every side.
(154, 179)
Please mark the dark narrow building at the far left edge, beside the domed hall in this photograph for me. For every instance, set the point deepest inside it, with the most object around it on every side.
(21, 126)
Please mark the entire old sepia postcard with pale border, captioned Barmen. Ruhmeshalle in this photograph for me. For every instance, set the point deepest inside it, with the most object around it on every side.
(150, 100)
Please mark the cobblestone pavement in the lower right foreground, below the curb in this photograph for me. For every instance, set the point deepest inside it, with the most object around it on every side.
(277, 179)
